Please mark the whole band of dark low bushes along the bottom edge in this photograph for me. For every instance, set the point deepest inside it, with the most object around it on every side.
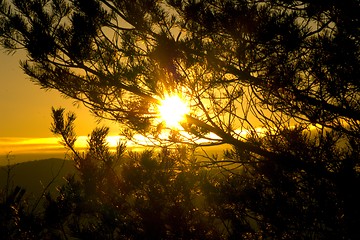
(167, 193)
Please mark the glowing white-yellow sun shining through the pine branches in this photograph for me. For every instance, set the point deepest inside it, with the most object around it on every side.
(172, 111)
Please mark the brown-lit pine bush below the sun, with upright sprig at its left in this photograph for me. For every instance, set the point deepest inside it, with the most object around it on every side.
(129, 195)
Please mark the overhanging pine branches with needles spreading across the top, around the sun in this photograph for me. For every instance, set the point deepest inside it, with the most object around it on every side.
(239, 63)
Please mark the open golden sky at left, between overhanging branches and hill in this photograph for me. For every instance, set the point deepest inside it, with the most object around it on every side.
(25, 110)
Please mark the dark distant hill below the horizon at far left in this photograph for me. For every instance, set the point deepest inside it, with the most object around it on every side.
(35, 175)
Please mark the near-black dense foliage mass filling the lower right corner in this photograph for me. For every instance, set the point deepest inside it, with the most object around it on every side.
(278, 200)
